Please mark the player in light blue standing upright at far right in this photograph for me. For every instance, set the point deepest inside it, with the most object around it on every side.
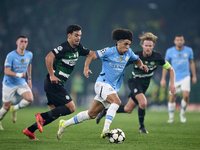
(182, 60)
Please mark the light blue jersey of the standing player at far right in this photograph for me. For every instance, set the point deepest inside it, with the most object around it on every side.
(180, 61)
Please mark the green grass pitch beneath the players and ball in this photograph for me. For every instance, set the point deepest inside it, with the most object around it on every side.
(86, 135)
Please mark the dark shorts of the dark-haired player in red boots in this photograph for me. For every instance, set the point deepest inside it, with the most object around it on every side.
(56, 93)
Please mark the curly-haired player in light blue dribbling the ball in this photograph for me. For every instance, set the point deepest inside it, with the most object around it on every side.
(107, 85)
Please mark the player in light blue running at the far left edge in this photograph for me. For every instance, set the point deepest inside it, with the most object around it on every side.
(17, 65)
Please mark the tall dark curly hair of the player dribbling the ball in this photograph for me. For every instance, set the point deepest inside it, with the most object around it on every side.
(119, 34)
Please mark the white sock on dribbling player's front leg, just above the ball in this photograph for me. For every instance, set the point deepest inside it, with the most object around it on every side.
(110, 116)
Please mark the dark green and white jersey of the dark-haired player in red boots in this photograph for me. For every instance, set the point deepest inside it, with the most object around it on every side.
(66, 58)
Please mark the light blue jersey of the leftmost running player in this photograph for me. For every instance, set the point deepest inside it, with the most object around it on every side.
(18, 64)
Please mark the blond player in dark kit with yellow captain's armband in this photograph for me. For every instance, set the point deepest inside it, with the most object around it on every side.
(139, 80)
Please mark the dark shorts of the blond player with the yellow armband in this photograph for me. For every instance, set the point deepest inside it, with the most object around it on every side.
(136, 88)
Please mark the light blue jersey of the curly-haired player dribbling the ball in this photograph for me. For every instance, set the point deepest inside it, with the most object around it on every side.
(113, 65)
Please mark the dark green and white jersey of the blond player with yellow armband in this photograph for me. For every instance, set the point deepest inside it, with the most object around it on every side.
(153, 61)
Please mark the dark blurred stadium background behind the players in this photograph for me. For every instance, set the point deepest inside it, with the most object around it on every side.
(44, 22)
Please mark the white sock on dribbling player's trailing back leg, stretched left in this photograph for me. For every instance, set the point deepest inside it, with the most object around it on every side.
(80, 117)
